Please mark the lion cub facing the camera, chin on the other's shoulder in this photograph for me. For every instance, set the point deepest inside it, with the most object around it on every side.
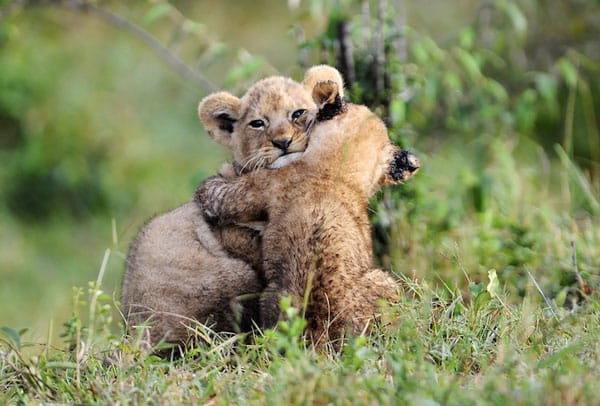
(181, 270)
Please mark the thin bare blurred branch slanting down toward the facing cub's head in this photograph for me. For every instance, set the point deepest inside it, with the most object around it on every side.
(163, 52)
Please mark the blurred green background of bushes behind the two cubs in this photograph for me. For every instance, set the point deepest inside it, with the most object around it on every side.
(98, 132)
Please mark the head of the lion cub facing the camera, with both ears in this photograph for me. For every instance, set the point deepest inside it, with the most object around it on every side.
(272, 119)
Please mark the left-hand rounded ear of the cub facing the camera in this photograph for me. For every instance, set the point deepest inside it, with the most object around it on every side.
(218, 113)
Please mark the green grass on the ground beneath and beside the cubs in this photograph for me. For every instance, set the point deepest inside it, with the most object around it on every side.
(462, 333)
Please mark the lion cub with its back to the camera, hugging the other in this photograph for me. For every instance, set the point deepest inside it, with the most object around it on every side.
(318, 235)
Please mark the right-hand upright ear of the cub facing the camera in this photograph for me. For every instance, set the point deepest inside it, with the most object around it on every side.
(325, 83)
